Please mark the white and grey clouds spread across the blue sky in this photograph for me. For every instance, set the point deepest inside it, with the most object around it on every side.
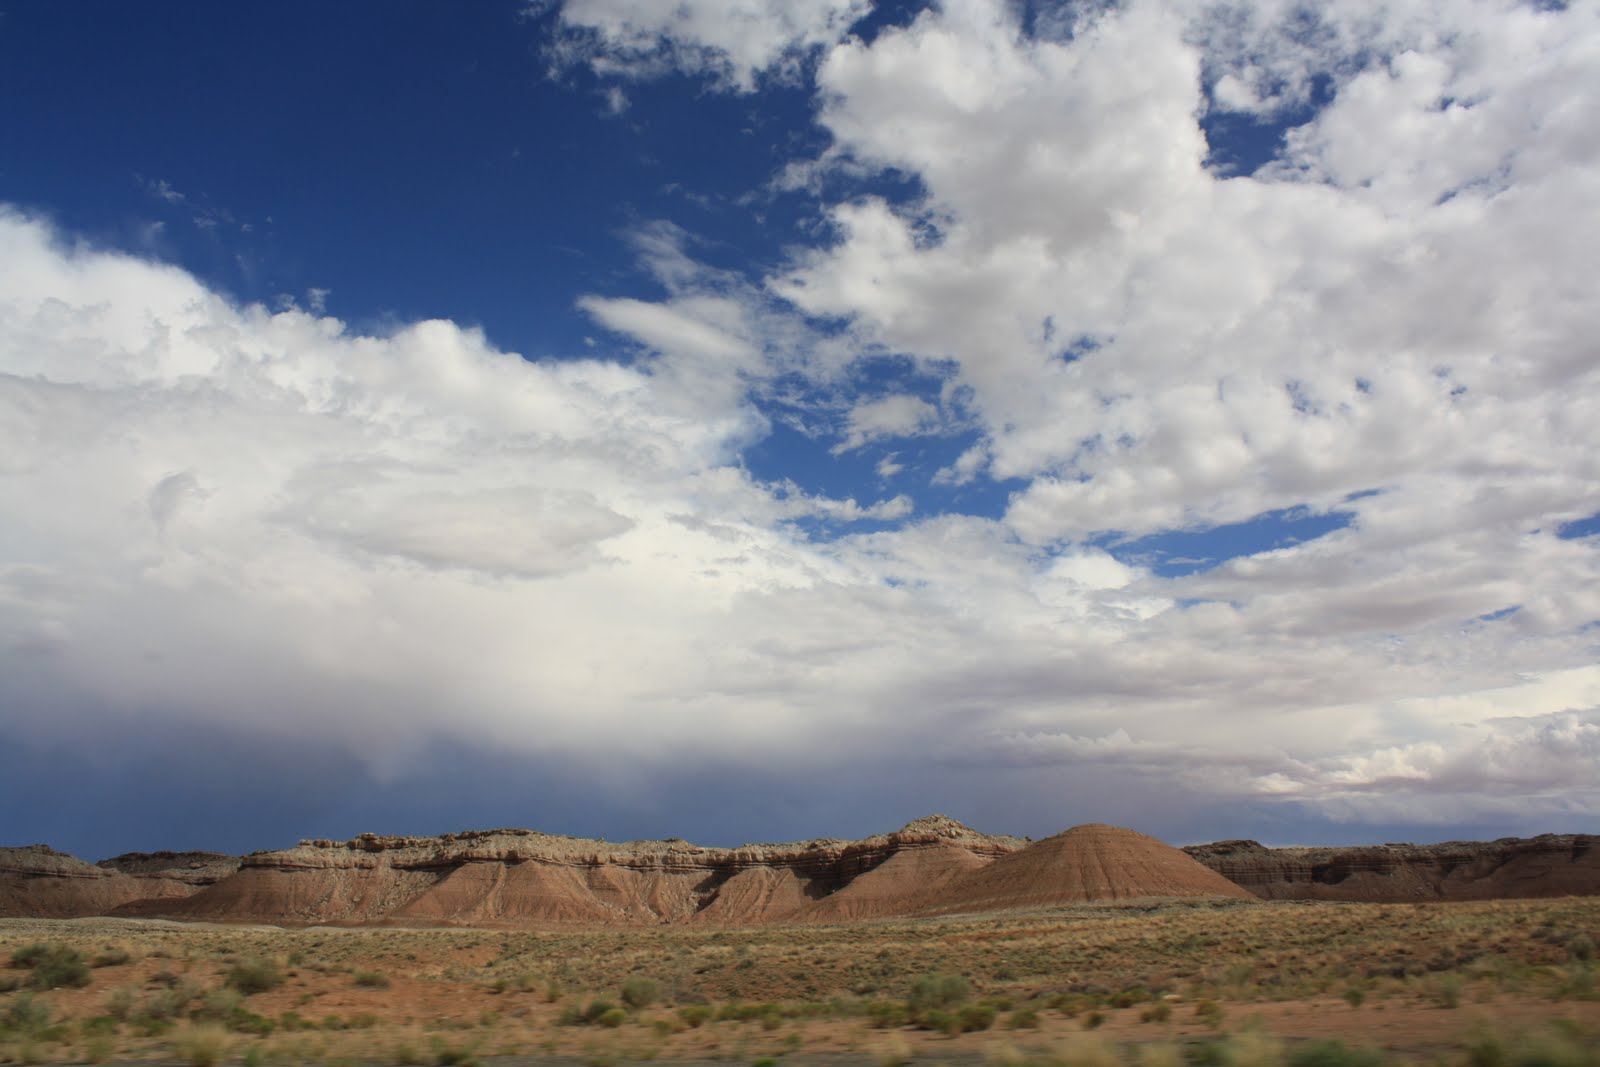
(217, 514)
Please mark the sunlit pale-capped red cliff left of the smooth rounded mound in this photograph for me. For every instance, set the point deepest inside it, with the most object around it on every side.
(527, 877)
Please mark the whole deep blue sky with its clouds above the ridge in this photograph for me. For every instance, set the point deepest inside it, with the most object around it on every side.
(764, 420)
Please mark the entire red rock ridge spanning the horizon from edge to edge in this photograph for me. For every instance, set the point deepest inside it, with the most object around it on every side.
(932, 866)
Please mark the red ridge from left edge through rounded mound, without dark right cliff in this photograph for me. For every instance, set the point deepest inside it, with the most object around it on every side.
(532, 879)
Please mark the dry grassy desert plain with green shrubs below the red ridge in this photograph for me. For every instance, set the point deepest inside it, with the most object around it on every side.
(1494, 985)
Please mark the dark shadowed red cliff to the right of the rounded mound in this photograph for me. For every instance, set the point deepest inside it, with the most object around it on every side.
(1457, 871)
